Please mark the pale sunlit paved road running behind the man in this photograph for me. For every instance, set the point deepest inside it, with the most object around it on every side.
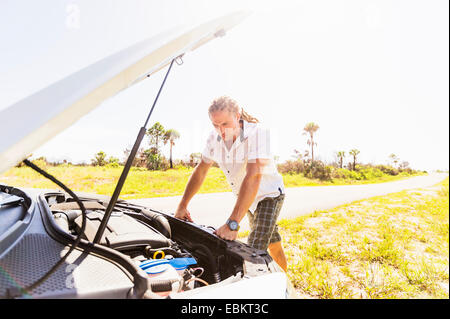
(213, 209)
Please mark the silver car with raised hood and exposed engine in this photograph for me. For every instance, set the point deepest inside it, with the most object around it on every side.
(143, 253)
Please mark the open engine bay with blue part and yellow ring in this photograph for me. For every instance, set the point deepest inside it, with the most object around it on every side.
(177, 256)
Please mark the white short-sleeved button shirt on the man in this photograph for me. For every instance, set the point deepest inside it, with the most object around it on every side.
(252, 144)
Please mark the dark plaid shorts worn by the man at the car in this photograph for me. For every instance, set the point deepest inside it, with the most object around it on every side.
(263, 227)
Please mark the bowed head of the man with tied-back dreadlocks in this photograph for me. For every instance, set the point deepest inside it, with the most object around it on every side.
(225, 114)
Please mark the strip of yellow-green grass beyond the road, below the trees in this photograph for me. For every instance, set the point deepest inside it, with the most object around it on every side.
(142, 183)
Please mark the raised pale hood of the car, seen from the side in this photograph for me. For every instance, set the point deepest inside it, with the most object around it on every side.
(29, 123)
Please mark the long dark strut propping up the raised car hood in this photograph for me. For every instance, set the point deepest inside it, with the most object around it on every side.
(127, 167)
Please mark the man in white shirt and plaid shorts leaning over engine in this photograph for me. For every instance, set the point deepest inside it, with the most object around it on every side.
(241, 148)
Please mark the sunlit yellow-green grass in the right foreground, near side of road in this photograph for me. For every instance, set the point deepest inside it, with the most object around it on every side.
(394, 246)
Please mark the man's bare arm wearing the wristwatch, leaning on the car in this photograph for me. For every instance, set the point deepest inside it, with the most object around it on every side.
(247, 194)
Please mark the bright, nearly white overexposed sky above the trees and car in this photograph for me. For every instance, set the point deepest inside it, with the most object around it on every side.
(374, 75)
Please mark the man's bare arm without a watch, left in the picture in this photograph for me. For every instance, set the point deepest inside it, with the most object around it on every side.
(192, 187)
